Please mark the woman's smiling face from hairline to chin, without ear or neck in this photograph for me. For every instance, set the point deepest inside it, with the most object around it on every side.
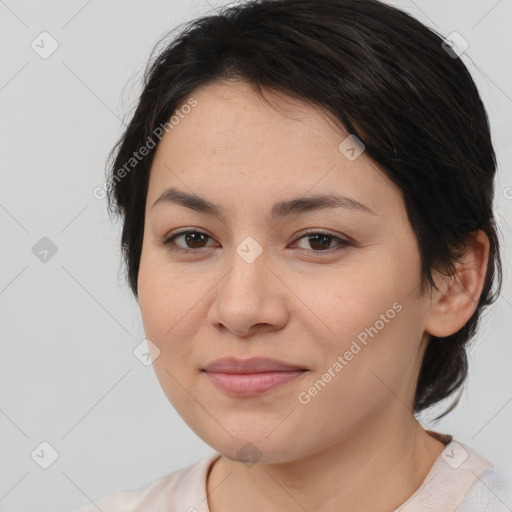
(332, 290)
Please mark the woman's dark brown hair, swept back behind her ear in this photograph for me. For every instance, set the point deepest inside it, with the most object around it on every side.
(386, 78)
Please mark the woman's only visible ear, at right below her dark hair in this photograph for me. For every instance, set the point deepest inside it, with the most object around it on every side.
(458, 295)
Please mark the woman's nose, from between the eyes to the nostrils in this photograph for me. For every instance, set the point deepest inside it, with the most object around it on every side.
(250, 298)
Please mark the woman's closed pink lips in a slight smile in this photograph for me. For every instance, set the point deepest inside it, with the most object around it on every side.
(250, 377)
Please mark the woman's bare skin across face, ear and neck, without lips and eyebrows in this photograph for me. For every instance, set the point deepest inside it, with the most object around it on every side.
(356, 445)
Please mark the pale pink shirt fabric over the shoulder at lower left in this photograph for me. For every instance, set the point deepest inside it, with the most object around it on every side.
(155, 495)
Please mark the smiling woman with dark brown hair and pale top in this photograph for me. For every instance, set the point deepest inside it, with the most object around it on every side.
(306, 190)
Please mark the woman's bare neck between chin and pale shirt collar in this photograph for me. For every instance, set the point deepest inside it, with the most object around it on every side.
(374, 470)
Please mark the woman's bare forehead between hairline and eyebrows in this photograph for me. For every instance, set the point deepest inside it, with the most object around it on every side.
(235, 141)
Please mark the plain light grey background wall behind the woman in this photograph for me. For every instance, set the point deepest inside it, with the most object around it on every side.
(69, 326)
